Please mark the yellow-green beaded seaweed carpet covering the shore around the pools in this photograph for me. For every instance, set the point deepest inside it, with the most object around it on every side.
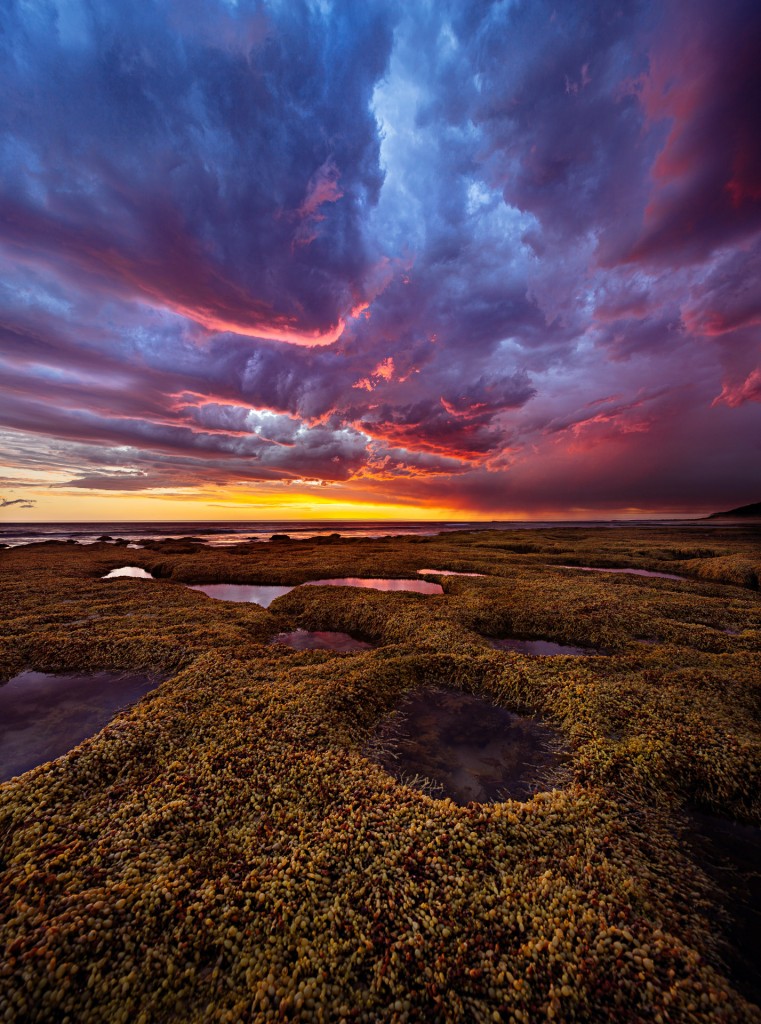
(226, 850)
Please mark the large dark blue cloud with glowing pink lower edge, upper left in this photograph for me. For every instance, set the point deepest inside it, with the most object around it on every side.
(219, 164)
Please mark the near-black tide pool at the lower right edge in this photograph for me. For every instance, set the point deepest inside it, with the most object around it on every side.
(731, 855)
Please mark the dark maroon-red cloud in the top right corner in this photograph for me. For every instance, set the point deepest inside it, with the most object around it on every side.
(705, 84)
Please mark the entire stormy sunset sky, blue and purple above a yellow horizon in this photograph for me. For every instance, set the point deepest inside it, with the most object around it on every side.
(398, 259)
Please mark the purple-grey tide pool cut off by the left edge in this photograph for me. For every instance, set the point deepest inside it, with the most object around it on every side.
(45, 716)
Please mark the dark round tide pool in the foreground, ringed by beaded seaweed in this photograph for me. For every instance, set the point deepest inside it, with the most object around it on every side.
(468, 748)
